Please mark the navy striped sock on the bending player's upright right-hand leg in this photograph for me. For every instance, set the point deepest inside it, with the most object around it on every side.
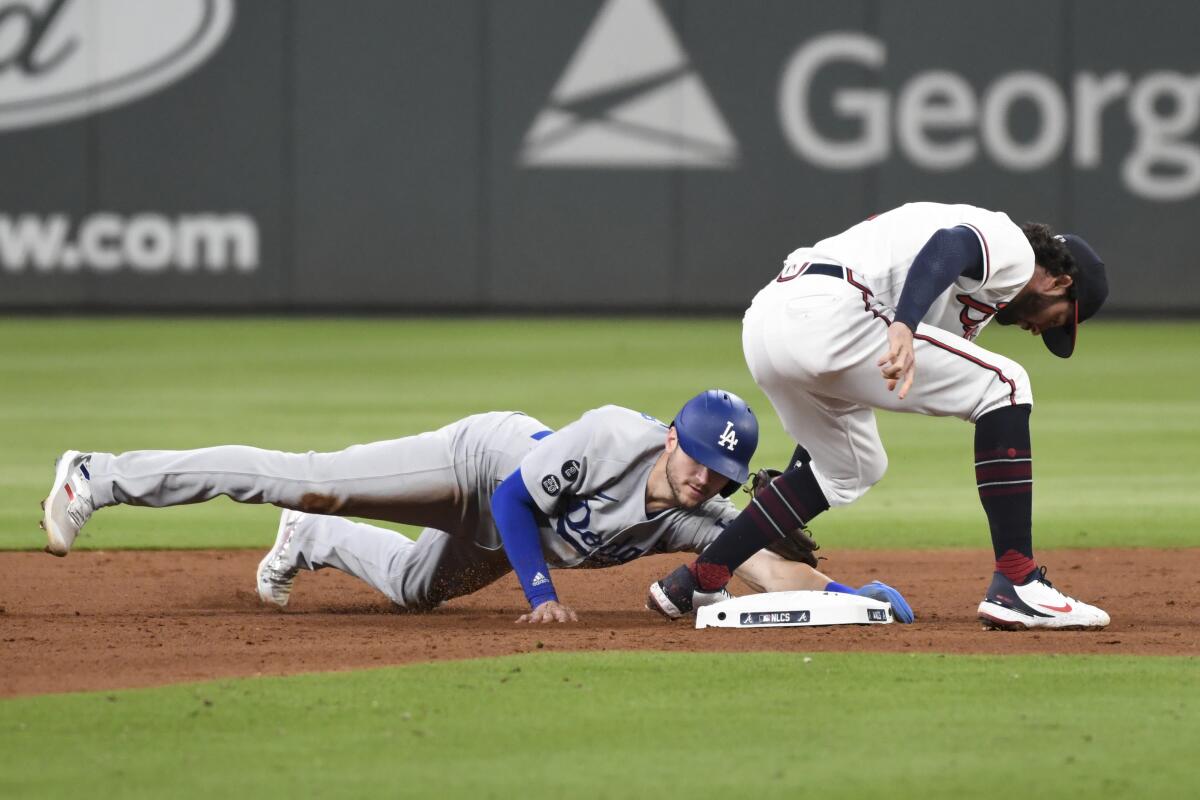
(1005, 478)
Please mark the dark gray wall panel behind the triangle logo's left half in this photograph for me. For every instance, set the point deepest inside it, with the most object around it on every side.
(565, 237)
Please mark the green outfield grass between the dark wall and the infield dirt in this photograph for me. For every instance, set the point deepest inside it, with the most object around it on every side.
(1117, 428)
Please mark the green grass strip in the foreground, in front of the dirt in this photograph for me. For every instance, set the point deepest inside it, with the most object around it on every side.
(631, 725)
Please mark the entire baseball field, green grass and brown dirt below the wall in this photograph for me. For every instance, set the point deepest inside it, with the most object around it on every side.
(143, 665)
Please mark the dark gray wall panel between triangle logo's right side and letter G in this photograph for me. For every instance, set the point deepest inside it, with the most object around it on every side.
(740, 225)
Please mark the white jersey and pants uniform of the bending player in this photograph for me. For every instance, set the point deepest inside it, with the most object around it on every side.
(814, 335)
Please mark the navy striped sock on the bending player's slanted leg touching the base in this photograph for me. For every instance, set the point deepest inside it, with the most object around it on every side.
(788, 503)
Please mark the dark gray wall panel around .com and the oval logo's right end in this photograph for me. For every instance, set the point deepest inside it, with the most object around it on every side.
(215, 142)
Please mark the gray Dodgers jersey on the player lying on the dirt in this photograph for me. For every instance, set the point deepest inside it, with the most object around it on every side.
(590, 480)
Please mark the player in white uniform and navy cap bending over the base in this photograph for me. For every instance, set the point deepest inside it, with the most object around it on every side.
(885, 316)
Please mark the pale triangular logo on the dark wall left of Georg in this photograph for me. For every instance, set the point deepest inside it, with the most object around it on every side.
(629, 99)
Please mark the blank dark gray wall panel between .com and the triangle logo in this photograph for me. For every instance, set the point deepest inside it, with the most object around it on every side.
(388, 125)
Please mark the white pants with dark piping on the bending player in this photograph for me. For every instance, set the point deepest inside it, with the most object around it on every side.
(813, 345)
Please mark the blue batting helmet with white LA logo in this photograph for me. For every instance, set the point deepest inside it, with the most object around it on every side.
(718, 430)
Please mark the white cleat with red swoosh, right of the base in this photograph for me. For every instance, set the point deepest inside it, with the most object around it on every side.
(1036, 604)
